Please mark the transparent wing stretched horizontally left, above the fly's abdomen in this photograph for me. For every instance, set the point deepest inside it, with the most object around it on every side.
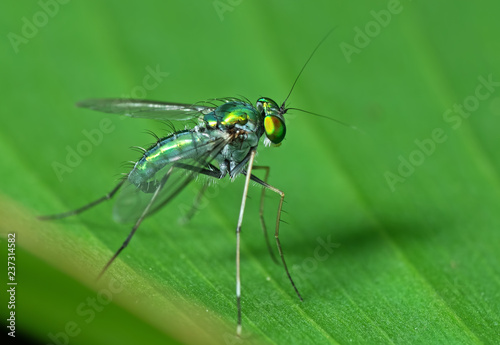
(146, 109)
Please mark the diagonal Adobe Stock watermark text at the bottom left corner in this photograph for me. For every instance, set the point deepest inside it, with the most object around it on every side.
(85, 312)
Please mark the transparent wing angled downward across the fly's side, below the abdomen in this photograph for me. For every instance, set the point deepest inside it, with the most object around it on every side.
(171, 180)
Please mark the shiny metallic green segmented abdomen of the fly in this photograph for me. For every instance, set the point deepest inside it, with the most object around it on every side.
(176, 147)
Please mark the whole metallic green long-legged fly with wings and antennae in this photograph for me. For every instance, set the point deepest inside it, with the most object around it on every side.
(224, 142)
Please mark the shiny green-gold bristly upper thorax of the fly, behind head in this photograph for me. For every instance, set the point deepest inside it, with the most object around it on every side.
(235, 114)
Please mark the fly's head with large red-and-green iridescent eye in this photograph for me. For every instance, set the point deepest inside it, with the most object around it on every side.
(274, 121)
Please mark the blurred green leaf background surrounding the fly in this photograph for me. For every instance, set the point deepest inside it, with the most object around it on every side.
(392, 232)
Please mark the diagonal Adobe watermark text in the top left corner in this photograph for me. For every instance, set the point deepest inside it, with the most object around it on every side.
(30, 26)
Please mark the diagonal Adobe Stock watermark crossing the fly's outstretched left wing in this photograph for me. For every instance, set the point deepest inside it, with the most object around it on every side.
(94, 137)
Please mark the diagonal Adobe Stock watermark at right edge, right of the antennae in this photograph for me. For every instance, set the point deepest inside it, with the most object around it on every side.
(454, 116)
